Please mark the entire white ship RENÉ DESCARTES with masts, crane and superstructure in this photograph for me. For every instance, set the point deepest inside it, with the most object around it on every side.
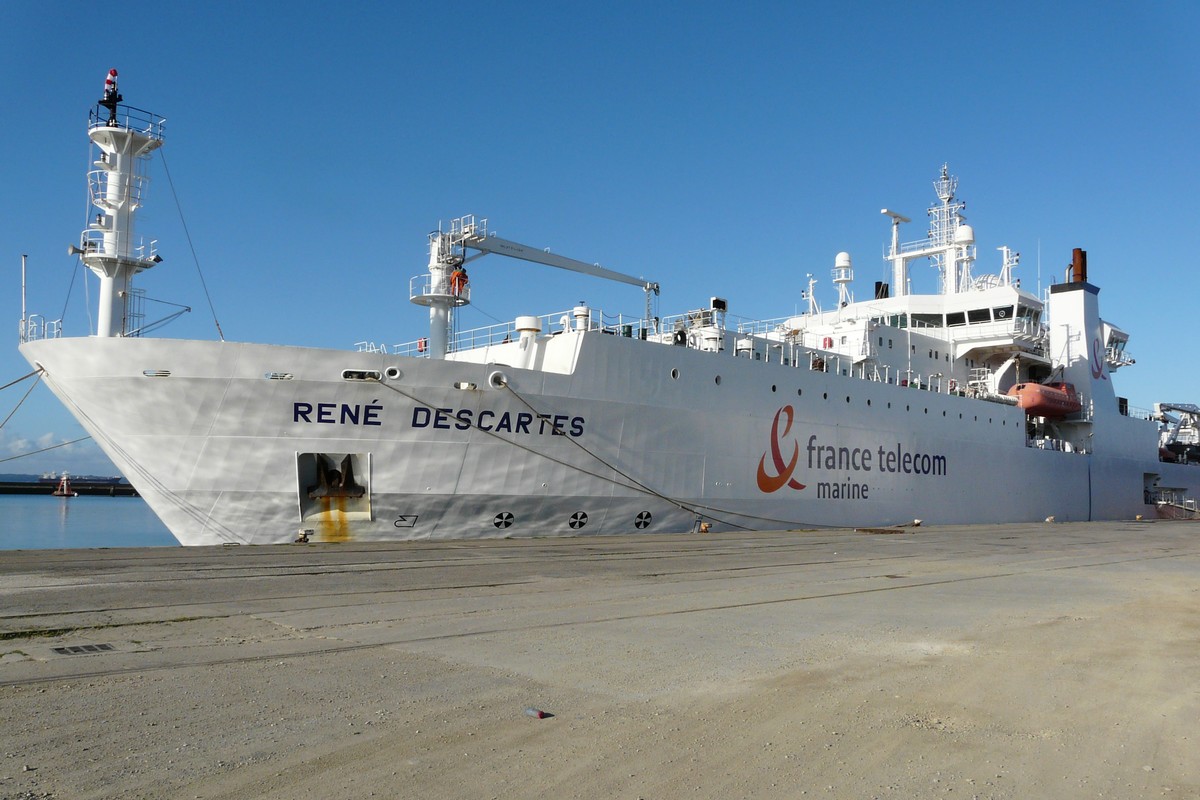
(877, 412)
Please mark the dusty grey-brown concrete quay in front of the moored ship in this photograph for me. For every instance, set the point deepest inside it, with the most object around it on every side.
(1031, 660)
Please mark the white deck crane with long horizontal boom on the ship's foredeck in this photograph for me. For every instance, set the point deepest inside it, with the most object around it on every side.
(446, 286)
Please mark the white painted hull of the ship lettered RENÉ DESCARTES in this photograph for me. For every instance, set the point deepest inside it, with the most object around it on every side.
(217, 447)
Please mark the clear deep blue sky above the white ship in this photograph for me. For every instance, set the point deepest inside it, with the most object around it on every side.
(719, 148)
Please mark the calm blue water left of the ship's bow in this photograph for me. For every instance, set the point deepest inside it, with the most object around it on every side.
(43, 521)
